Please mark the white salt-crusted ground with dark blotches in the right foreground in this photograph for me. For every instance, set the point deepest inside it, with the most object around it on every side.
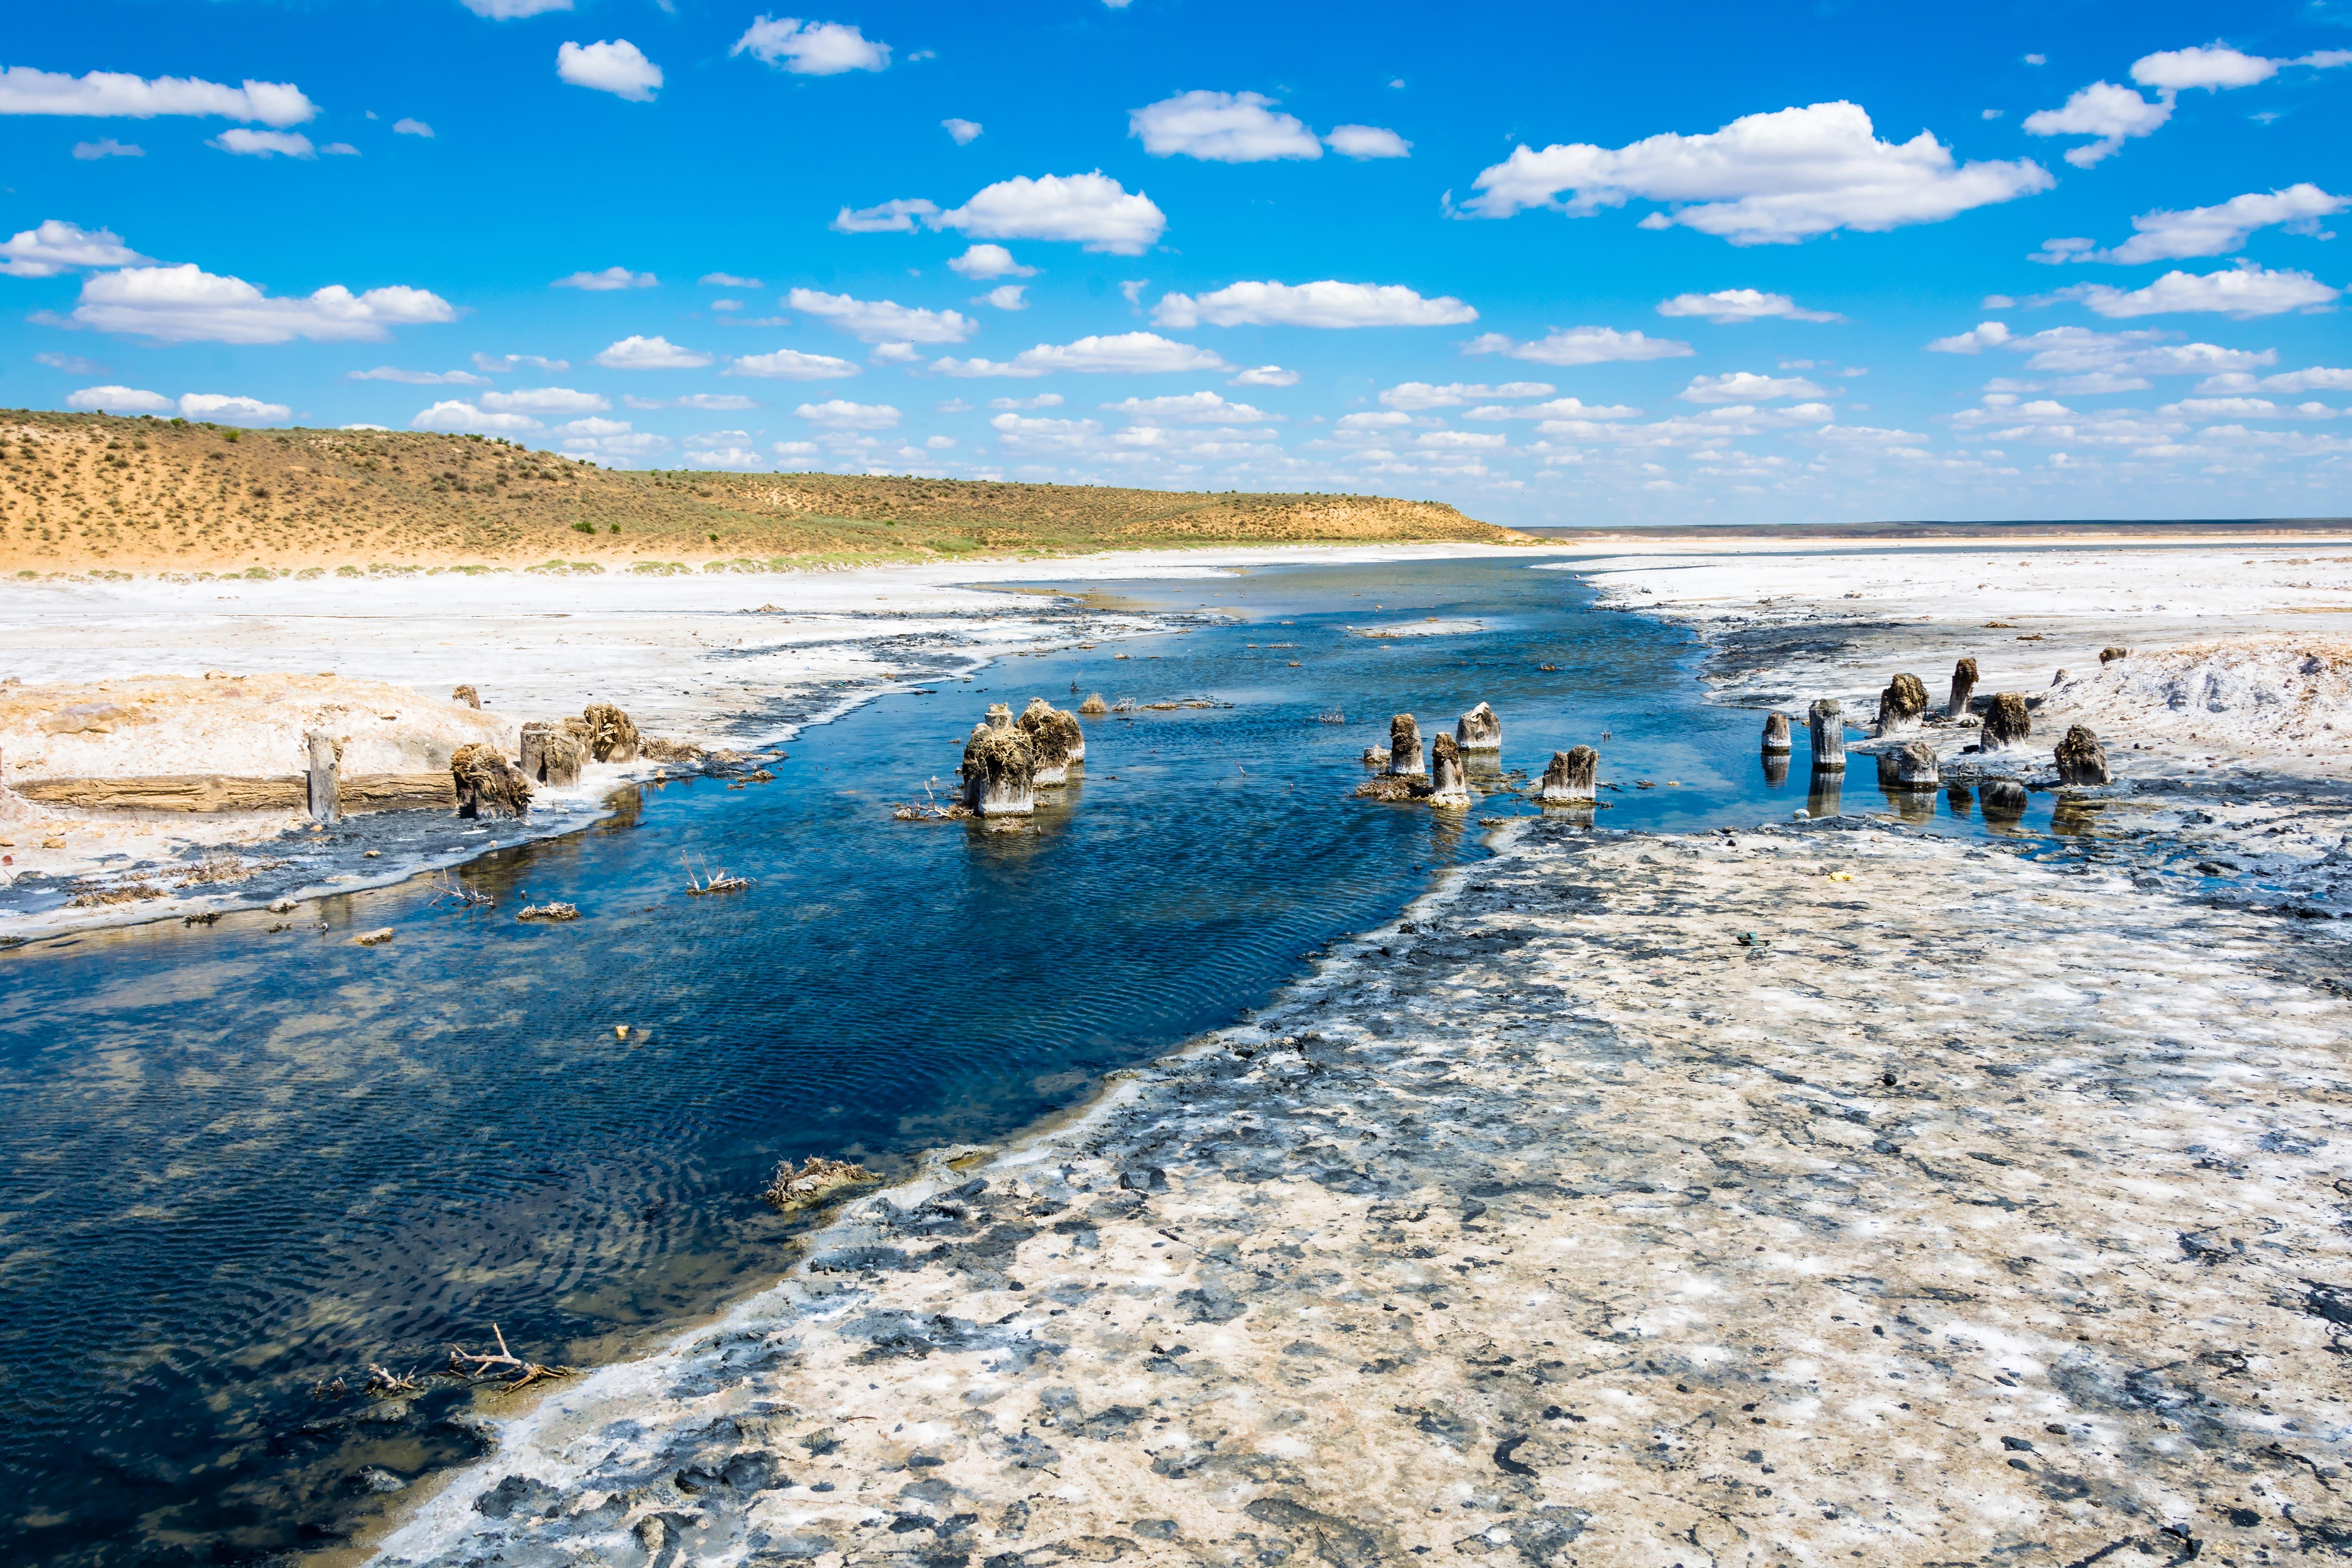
(1977, 1214)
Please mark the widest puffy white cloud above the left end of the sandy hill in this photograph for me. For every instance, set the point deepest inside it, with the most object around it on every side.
(187, 304)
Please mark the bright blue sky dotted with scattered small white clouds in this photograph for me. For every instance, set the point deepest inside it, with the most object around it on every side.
(1551, 264)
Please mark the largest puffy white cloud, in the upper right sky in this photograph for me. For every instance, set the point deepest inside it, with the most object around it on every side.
(1763, 180)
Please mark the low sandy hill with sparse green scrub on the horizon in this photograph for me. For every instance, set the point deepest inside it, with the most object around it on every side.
(93, 492)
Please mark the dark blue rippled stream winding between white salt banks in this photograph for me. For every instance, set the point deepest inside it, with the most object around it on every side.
(239, 1165)
